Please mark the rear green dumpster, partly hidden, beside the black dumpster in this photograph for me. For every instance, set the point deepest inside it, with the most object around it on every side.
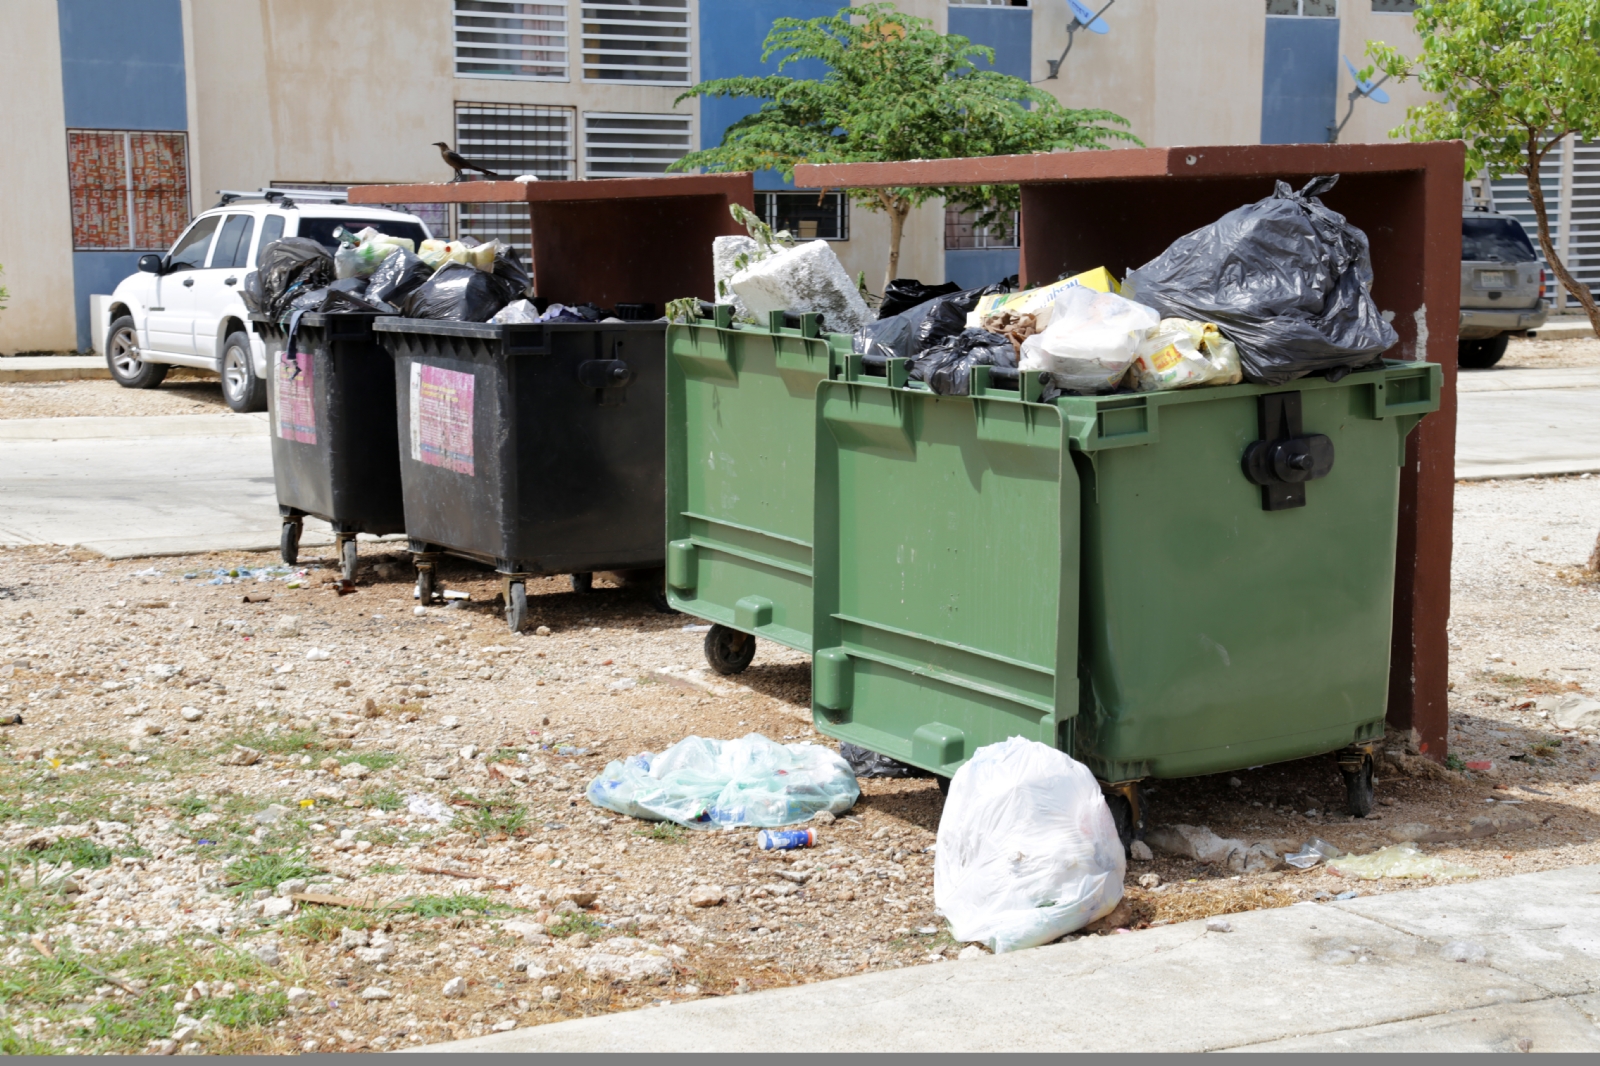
(742, 423)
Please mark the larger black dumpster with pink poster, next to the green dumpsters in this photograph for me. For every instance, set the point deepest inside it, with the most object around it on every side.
(535, 449)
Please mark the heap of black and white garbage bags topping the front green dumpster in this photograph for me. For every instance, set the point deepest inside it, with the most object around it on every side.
(1271, 292)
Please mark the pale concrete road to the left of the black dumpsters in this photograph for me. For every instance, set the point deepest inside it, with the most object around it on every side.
(130, 487)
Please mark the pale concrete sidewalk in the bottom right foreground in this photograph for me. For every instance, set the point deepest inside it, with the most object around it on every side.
(1372, 974)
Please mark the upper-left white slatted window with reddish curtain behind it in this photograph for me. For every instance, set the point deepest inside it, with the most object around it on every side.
(521, 42)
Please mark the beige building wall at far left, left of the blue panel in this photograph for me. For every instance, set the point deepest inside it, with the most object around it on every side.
(36, 218)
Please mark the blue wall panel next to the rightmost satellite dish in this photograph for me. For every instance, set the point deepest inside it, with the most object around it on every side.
(1300, 81)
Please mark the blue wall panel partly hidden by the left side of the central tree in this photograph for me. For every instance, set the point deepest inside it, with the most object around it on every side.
(732, 34)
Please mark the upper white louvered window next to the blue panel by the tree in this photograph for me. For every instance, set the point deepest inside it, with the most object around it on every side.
(638, 41)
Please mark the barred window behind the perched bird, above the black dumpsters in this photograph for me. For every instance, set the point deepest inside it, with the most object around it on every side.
(511, 140)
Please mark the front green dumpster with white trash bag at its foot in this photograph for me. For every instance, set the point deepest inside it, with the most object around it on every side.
(1162, 585)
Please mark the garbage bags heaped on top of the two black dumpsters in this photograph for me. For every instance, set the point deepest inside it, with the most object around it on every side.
(458, 281)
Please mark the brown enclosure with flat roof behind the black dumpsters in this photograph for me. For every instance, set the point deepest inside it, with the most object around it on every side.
(631, 241)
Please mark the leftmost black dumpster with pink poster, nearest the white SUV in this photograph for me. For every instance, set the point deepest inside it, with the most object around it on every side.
(335, 439)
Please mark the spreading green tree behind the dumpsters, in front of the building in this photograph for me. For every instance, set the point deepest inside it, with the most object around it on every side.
(895, 90)
